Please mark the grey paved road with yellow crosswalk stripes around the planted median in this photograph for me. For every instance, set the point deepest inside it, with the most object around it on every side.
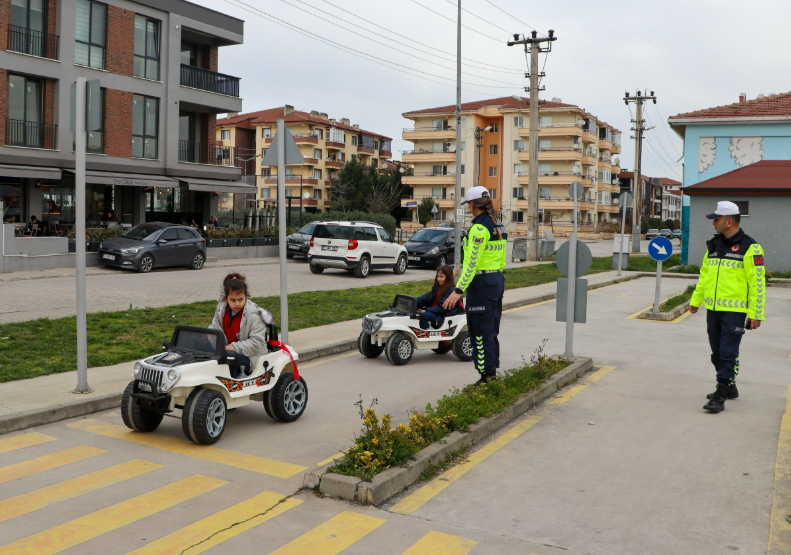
(631, 464)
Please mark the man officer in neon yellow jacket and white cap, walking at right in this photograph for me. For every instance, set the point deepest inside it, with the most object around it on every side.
(732, 284)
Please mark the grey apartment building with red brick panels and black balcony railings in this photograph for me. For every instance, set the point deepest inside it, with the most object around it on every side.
(155, 157)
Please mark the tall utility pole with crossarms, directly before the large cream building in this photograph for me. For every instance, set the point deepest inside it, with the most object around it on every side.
(532, 184)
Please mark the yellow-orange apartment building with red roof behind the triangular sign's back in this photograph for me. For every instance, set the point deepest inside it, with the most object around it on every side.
(325, 143)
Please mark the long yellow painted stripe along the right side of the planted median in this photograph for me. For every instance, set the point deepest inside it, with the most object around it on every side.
(420, 497)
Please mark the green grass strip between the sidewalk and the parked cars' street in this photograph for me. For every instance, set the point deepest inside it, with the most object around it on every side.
(39, 347)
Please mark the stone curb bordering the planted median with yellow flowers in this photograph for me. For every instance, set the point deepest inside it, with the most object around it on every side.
(393, 480)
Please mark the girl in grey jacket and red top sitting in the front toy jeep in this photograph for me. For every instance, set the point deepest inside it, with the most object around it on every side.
(243, 323)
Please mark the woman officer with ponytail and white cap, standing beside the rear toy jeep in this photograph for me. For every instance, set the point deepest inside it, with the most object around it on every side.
(481, 277)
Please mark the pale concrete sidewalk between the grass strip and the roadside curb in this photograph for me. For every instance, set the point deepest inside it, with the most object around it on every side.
(27, 403)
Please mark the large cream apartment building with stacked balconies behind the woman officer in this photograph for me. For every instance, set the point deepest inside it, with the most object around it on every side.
(573, 146)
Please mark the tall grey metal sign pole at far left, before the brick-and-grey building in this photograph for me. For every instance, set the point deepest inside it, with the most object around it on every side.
(79, 200)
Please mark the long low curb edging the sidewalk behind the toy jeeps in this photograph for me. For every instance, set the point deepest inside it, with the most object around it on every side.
(47, 415)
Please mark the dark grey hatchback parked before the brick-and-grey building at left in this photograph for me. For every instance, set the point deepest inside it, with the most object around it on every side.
(154, 245)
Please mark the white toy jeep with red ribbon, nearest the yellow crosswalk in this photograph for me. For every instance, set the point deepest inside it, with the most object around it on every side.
(194, 374)
